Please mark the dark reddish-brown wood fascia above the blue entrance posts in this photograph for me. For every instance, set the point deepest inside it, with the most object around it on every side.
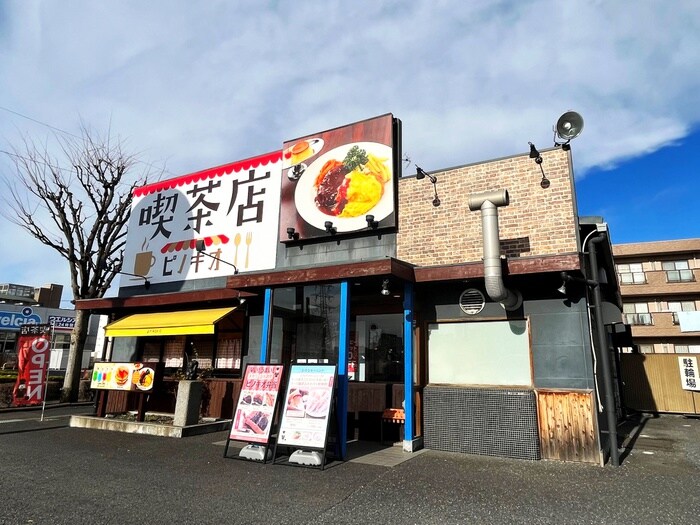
(386, 266)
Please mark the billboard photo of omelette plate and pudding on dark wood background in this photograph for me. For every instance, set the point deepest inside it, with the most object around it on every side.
(333, 180)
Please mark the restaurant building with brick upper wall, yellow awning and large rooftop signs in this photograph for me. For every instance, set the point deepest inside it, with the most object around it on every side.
(476, 289)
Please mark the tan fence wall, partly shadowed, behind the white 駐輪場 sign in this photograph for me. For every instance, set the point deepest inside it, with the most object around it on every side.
(652, 383)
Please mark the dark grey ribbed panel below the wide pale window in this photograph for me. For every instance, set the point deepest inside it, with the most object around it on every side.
(493, 422)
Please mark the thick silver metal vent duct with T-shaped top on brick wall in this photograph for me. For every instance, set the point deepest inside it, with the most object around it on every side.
(489, 202)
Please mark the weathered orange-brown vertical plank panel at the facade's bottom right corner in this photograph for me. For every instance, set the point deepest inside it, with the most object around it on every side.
(567, 426)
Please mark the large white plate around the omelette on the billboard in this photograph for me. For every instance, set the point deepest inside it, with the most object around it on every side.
(305, 192)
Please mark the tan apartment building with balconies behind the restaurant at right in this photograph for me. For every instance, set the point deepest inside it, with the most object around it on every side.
(661, 294)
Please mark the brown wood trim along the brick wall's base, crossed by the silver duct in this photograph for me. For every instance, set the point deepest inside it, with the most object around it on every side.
(512, 266)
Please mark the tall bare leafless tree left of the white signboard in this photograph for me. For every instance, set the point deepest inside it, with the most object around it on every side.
(77, 202)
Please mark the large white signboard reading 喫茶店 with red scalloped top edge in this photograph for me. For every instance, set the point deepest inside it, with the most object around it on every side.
(234, 209)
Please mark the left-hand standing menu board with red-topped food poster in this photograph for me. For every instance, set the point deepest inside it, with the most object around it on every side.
(252, 419)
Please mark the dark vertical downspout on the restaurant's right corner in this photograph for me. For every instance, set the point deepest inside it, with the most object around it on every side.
(604, 351)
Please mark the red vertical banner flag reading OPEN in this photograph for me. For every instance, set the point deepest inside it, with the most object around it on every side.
(33, 353)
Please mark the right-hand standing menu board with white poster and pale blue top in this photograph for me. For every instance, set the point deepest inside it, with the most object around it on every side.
(307, 406)
